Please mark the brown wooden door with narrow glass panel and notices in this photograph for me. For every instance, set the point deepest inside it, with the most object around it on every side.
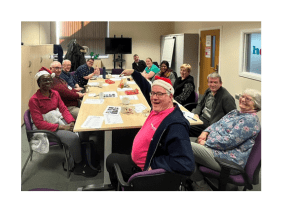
(209, 56)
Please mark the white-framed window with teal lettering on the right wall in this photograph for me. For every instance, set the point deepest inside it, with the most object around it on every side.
(250, 54)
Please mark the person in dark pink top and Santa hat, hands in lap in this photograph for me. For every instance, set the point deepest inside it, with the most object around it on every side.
(46, 100)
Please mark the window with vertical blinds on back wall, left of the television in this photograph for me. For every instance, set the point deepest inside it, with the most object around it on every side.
(86, 33)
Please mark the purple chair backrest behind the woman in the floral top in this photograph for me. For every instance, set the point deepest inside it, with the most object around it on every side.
(254, 160)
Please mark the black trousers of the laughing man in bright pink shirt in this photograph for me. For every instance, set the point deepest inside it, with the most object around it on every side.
(127, 166)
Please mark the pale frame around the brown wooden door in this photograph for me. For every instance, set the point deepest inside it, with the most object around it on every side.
(199, 52)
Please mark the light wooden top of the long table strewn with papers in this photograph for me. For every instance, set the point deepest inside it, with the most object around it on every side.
(135, 120)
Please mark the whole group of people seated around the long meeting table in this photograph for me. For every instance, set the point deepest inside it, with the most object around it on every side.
(164, 139)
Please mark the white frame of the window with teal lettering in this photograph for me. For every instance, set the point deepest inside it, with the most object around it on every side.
(243, 55)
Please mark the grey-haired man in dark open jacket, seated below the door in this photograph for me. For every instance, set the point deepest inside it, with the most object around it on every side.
(215, 104)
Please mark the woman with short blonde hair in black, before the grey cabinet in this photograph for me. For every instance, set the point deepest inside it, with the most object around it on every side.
(184, 86)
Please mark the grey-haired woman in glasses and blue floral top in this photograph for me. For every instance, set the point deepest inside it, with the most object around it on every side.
(232, 137)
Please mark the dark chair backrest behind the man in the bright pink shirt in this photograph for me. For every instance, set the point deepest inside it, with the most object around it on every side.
(156, 180)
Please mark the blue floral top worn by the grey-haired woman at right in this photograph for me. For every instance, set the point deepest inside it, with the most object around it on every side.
(233, 136)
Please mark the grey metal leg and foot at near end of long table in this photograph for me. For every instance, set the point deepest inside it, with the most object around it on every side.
(107, 182)
